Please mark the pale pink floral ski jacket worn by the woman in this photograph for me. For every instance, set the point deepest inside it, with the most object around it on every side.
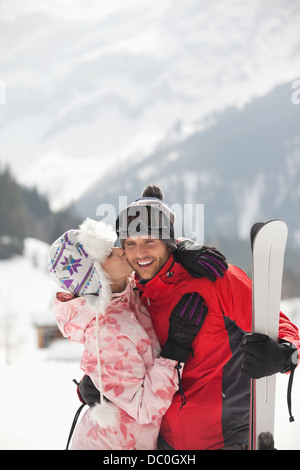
(134, 378)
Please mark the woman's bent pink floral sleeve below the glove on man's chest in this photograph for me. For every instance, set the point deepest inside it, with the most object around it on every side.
(144, 393)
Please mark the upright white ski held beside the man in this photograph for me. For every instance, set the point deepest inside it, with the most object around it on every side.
(268, 242)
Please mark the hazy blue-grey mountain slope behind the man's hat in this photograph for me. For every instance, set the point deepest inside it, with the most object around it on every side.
(244, 167)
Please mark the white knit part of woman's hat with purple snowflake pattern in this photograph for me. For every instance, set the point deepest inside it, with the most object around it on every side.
(71, 266)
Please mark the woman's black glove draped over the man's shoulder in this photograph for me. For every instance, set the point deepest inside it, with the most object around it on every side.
(200, 261)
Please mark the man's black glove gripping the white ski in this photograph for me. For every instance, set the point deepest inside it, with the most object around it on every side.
(264, 356)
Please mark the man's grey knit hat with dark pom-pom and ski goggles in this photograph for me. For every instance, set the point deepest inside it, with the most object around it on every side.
(148, 216)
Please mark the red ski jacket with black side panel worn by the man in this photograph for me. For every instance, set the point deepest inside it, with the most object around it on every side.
(216, 413)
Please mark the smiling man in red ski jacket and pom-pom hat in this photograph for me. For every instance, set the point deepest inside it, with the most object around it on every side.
(215, 379)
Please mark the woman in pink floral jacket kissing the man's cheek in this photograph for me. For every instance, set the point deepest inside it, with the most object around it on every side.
(121, 350)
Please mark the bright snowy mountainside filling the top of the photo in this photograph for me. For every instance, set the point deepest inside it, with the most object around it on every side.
(89, 87)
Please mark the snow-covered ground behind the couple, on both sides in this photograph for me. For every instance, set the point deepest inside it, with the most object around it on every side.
(38, 398)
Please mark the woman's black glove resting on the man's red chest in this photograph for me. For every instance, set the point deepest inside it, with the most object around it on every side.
(186, 321)
